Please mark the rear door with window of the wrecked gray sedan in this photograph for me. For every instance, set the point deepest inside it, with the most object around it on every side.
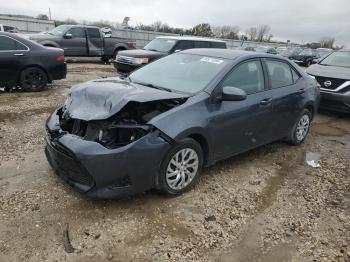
(288, 89)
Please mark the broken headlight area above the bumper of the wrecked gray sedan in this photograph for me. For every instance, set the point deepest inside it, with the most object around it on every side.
(120, 135)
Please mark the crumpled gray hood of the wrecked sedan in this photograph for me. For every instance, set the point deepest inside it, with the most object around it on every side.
(100, 99)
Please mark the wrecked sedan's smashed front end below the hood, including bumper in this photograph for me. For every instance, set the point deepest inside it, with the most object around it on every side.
(112, 157)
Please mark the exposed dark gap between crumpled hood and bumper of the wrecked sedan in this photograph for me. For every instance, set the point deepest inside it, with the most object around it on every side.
(123, 128)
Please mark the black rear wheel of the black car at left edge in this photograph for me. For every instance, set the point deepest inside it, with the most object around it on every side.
(33, 79)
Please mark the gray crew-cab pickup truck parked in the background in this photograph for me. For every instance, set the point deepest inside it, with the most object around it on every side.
(82, 40)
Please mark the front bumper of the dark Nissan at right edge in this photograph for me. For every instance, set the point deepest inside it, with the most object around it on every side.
(335, 101)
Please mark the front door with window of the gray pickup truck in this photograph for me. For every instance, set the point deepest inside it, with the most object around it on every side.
(77, 44)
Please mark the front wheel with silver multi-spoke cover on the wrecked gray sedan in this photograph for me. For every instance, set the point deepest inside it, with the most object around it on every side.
(181, 180)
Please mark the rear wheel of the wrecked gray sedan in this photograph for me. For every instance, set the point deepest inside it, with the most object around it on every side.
(301, 128)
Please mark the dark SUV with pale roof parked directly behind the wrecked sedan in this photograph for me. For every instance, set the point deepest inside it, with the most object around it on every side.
(128, 61)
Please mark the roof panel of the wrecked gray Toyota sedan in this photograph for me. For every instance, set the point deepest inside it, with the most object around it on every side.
(227, 53)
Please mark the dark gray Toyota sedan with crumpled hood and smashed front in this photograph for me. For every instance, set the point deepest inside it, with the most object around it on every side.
(158, 127)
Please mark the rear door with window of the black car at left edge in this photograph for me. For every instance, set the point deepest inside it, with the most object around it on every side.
(12, 54)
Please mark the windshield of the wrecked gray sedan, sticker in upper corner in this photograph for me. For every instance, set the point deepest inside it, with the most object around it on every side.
(184, 73)
